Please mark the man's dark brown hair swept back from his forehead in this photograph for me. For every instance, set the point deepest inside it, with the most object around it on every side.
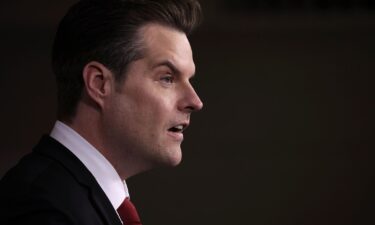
(106, 31)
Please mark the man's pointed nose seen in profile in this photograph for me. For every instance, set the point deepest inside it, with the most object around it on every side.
(191, 101)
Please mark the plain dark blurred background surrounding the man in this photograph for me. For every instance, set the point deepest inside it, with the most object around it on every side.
(285, 137)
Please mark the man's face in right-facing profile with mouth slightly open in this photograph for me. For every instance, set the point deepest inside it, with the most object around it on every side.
(151, 107)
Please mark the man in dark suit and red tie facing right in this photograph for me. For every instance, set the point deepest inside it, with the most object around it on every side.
(123, 70)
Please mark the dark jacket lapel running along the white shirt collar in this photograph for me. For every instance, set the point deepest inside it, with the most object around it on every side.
(53, 149)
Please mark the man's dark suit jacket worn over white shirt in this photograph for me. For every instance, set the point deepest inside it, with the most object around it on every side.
(51, 186)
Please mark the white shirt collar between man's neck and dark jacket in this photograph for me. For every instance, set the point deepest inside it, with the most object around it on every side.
(103, 171)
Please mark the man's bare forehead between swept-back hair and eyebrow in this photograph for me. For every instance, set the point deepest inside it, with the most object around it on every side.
(163, 43)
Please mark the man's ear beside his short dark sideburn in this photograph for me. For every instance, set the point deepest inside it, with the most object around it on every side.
(98, 80)
